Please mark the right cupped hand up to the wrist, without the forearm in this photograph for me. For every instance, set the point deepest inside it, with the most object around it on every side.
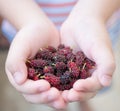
(90, 36)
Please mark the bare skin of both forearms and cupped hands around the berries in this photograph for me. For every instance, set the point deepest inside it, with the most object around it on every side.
(83, 30)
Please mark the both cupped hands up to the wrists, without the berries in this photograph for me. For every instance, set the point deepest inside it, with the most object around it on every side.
(89, 35)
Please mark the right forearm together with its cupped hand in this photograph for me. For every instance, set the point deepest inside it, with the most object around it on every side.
(86, 31)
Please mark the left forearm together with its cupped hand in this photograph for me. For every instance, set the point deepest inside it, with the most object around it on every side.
(35, 31)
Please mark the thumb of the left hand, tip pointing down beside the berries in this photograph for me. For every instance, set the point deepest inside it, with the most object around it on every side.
(15, 68)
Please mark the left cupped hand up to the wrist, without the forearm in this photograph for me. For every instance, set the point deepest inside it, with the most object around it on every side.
(25, 45)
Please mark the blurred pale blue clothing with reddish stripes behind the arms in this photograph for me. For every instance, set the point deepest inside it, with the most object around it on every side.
(58, 11)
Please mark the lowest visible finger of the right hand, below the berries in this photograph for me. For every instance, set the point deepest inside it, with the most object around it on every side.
(74, 95)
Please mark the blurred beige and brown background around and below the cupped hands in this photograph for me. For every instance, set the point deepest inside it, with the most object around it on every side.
(11, 100)
